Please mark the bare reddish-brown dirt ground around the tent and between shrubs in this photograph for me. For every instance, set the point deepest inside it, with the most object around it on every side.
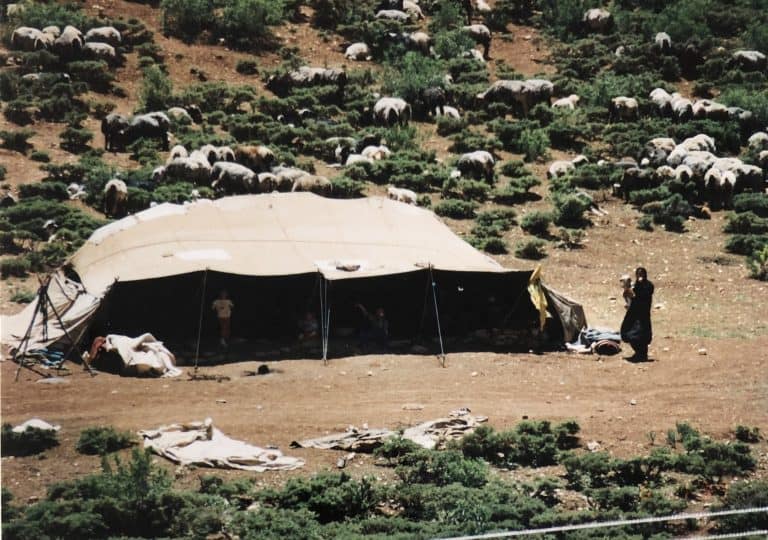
(710, 349)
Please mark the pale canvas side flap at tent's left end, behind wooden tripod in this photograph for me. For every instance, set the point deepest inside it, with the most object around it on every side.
(74, 305)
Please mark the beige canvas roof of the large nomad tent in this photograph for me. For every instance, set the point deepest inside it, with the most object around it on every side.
(275, 234)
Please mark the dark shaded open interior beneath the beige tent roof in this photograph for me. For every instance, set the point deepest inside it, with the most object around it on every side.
(268, 309)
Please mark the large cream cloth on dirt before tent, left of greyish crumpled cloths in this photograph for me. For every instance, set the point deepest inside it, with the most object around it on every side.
(200, 443)
